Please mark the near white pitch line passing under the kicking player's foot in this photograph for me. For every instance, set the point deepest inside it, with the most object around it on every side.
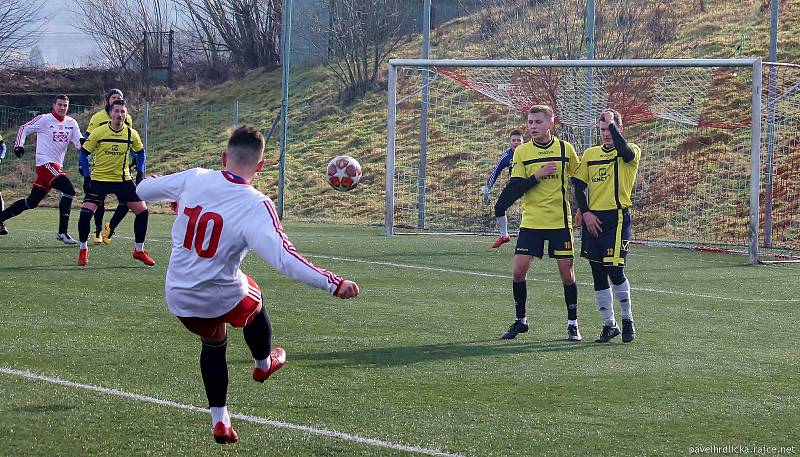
(243, 417)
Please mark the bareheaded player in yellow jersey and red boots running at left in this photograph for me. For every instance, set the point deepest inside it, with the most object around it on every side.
(113, 146)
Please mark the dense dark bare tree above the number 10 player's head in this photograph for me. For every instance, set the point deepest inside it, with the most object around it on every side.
(246, 31)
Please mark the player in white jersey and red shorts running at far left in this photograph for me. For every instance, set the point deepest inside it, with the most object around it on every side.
(54, 132)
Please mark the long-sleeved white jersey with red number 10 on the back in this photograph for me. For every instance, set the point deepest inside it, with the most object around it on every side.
(220, 218)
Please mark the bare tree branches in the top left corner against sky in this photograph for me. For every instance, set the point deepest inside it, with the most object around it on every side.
(22, 23)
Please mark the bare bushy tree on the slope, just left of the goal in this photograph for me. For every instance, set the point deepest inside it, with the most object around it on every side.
(361, 34)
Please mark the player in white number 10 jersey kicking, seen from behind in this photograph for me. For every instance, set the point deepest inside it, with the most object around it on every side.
(220, 218)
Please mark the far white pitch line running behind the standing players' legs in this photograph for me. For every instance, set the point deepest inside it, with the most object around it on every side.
(495, 275)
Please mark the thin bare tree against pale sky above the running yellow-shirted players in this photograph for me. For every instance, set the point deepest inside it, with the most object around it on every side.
(118, 26)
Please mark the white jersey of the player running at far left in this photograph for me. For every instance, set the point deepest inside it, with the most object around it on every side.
(52, 137)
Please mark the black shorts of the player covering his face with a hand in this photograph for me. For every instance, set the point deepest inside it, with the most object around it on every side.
(611, 247)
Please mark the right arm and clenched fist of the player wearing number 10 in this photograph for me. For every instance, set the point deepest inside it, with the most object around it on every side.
(266, 237)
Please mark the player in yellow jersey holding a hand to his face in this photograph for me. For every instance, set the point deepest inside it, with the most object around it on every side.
(607, 175)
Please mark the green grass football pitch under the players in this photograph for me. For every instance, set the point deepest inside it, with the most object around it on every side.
(416, 360)
